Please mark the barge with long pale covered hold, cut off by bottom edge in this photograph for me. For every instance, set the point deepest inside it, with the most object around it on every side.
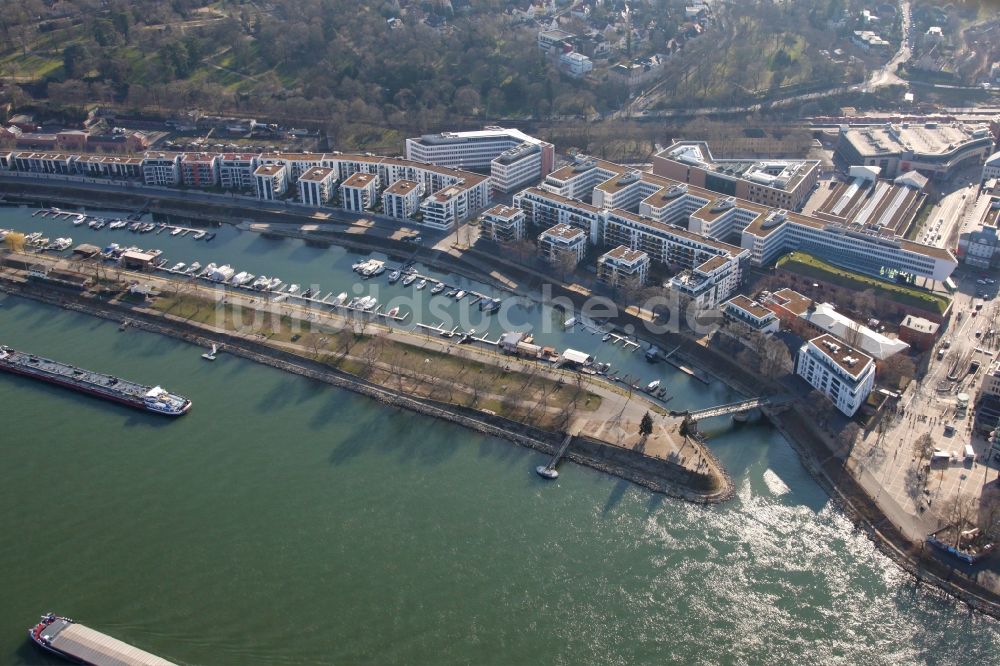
(83, 645)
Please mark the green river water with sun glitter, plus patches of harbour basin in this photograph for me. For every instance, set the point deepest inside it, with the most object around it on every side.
(283, 521)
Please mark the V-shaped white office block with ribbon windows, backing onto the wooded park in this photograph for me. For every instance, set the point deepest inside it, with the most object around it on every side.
(512, 156)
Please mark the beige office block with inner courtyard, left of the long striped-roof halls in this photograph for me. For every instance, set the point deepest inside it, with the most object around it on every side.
(778, 183)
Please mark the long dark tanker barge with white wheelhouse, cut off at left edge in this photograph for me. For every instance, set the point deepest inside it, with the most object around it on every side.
(149, 398)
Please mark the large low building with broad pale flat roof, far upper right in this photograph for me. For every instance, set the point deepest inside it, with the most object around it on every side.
(936, 150)
